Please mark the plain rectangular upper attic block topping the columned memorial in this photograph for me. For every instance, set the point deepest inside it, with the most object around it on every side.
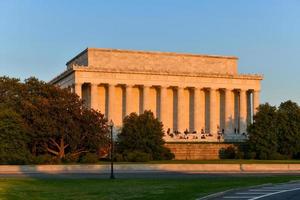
(145, 61)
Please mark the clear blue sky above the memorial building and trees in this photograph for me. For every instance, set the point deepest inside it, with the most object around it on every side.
(38, 37)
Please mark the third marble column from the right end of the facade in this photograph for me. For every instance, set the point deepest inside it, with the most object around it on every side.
(229, 111)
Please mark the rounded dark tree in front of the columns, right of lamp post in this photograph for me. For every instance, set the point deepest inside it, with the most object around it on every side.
(143, 134)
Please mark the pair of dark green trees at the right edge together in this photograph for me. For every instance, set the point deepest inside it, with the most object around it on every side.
(275, 133)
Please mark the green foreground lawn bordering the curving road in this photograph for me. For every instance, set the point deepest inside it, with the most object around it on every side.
(59, 189)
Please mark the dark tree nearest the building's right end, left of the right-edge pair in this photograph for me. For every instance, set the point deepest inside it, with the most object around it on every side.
(263, 139)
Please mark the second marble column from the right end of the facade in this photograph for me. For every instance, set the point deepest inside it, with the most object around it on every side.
(243, 111)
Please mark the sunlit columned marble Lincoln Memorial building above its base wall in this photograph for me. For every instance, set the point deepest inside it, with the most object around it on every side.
(196, 97)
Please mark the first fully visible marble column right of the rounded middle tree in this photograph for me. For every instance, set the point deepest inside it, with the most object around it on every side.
(180, 109)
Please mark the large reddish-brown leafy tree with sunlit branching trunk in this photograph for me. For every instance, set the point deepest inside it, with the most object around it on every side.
(57, 121)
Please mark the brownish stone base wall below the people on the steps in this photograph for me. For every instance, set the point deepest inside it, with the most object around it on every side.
(197, 151)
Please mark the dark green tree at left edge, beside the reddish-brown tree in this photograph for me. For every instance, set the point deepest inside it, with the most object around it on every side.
(13, 138)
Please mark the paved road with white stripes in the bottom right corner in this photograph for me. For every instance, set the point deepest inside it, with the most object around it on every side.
(288, 191)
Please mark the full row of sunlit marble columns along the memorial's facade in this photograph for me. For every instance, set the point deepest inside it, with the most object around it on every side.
(199, 107)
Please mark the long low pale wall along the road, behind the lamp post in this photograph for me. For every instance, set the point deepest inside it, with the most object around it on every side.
(156, 168)
